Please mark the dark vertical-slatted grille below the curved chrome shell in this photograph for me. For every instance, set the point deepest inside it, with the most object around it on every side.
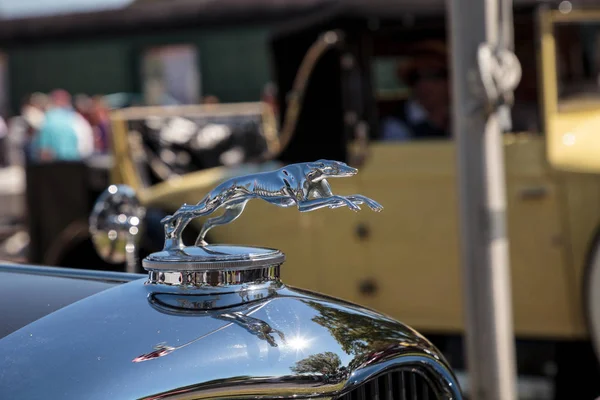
(394, 385)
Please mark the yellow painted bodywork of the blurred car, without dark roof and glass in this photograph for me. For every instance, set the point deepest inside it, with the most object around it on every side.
(405, 261)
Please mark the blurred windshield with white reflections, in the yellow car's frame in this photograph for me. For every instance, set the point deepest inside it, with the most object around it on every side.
(187, 140)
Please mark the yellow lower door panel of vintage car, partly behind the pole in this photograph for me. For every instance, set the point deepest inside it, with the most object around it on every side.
(413, 246)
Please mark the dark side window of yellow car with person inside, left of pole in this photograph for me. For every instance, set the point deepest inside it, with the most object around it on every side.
(411, 90)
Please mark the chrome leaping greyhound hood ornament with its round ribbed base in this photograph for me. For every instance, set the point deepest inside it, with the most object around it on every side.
(302, 185)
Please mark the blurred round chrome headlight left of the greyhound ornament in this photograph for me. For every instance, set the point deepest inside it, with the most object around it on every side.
(115, 225)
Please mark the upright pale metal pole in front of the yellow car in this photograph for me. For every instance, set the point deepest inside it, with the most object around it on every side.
(484, 245)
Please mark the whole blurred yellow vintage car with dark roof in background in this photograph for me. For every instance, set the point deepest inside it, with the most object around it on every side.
(335, 79)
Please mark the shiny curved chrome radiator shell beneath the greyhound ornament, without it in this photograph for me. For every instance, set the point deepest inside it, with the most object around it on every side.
(137, 341)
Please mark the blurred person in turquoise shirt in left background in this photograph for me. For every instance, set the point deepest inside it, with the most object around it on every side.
(57, 138)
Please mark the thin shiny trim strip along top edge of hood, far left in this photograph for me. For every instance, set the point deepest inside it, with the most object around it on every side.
(60, 272)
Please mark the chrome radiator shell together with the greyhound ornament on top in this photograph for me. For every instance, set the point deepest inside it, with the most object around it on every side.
(216, 322)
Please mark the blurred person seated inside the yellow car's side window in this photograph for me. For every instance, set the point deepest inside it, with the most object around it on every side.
(426, 114)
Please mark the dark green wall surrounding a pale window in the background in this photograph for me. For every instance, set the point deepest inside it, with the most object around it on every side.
(234, 63)
